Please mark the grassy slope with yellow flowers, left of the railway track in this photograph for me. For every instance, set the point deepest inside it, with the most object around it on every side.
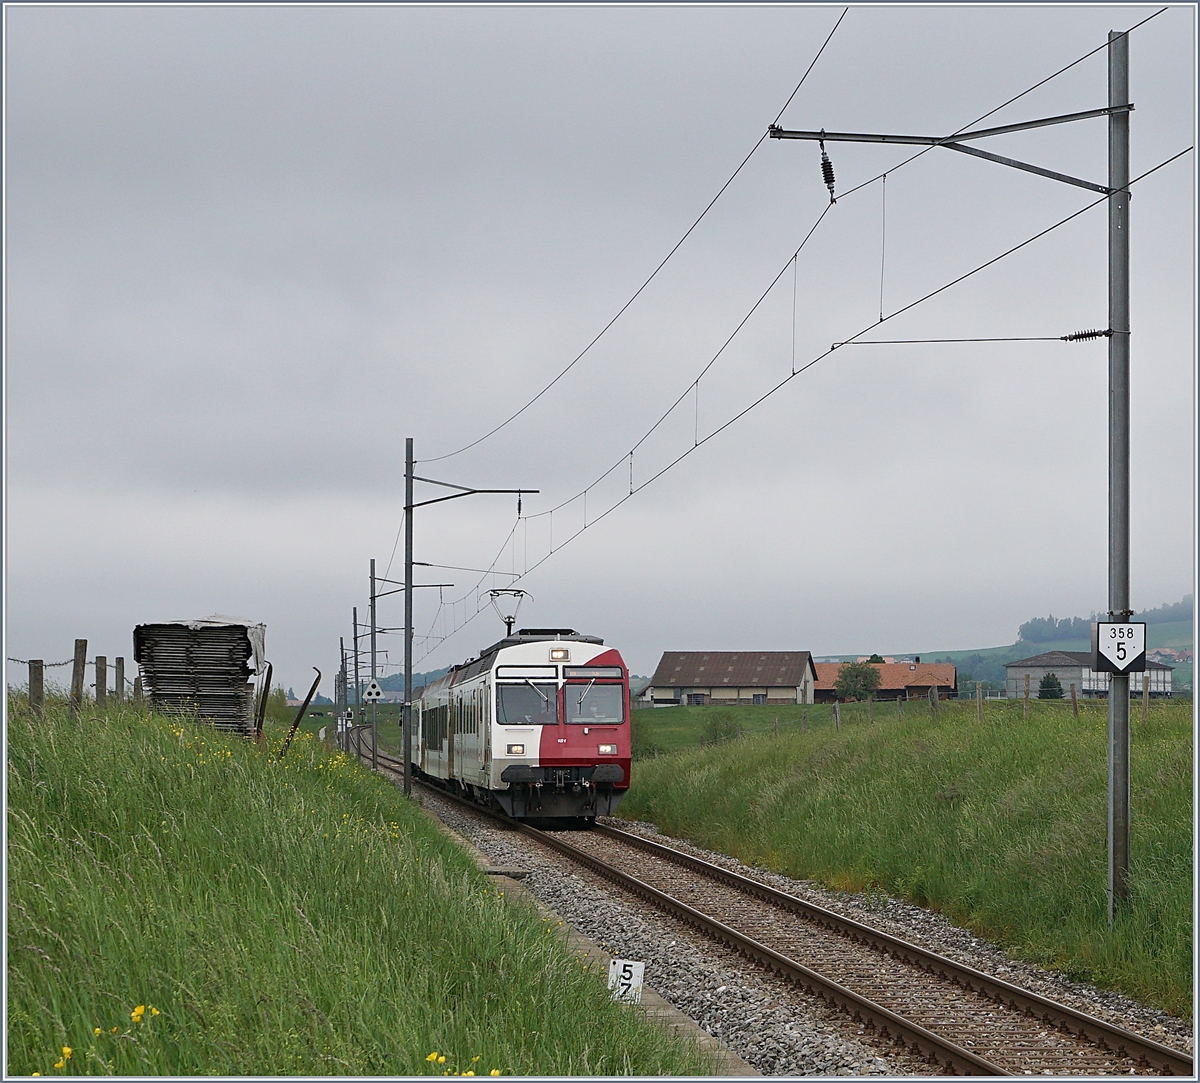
(183, 904)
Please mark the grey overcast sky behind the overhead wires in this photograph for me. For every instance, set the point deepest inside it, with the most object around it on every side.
(250, 250)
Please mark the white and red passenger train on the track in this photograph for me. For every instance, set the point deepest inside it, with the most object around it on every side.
(537, 726)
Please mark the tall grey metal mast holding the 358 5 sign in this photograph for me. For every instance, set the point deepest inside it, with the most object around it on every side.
(1119, 463)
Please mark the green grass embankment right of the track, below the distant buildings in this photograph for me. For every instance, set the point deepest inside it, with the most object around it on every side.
(1001, 827)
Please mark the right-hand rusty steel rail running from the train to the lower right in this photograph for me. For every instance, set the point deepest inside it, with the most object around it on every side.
(1107, 1036)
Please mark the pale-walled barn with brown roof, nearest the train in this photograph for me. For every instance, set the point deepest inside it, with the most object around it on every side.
(728, 678)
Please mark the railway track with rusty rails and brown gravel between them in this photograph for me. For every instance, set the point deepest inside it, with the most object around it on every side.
(964, 1020)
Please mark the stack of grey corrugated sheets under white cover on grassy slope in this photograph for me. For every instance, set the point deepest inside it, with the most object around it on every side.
(203, 667)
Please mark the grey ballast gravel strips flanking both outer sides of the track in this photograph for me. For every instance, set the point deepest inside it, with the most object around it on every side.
(759, 1016)
